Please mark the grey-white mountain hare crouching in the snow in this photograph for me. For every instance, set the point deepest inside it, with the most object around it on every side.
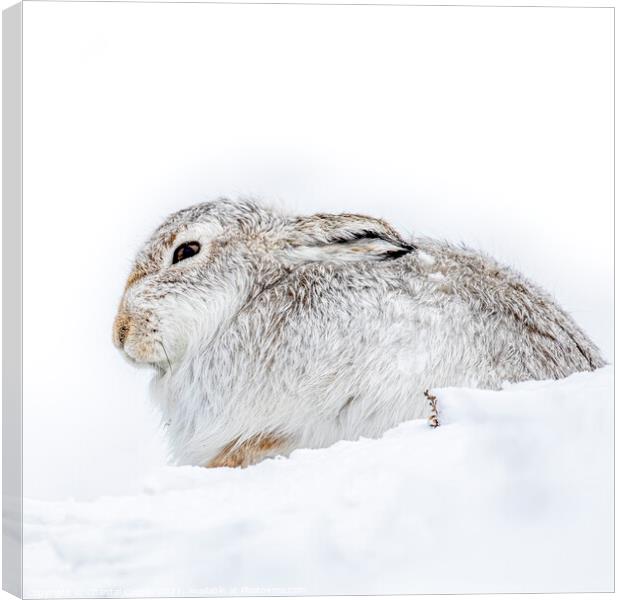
(269, 332)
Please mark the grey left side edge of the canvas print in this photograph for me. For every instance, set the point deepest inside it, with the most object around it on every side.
(12, 504)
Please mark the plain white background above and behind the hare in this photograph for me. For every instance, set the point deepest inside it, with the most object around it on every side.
(491, 126)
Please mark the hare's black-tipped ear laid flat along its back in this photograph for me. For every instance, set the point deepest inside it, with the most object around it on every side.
(344, 238)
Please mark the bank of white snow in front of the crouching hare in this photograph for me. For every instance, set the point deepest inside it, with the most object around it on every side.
(512, 493)
